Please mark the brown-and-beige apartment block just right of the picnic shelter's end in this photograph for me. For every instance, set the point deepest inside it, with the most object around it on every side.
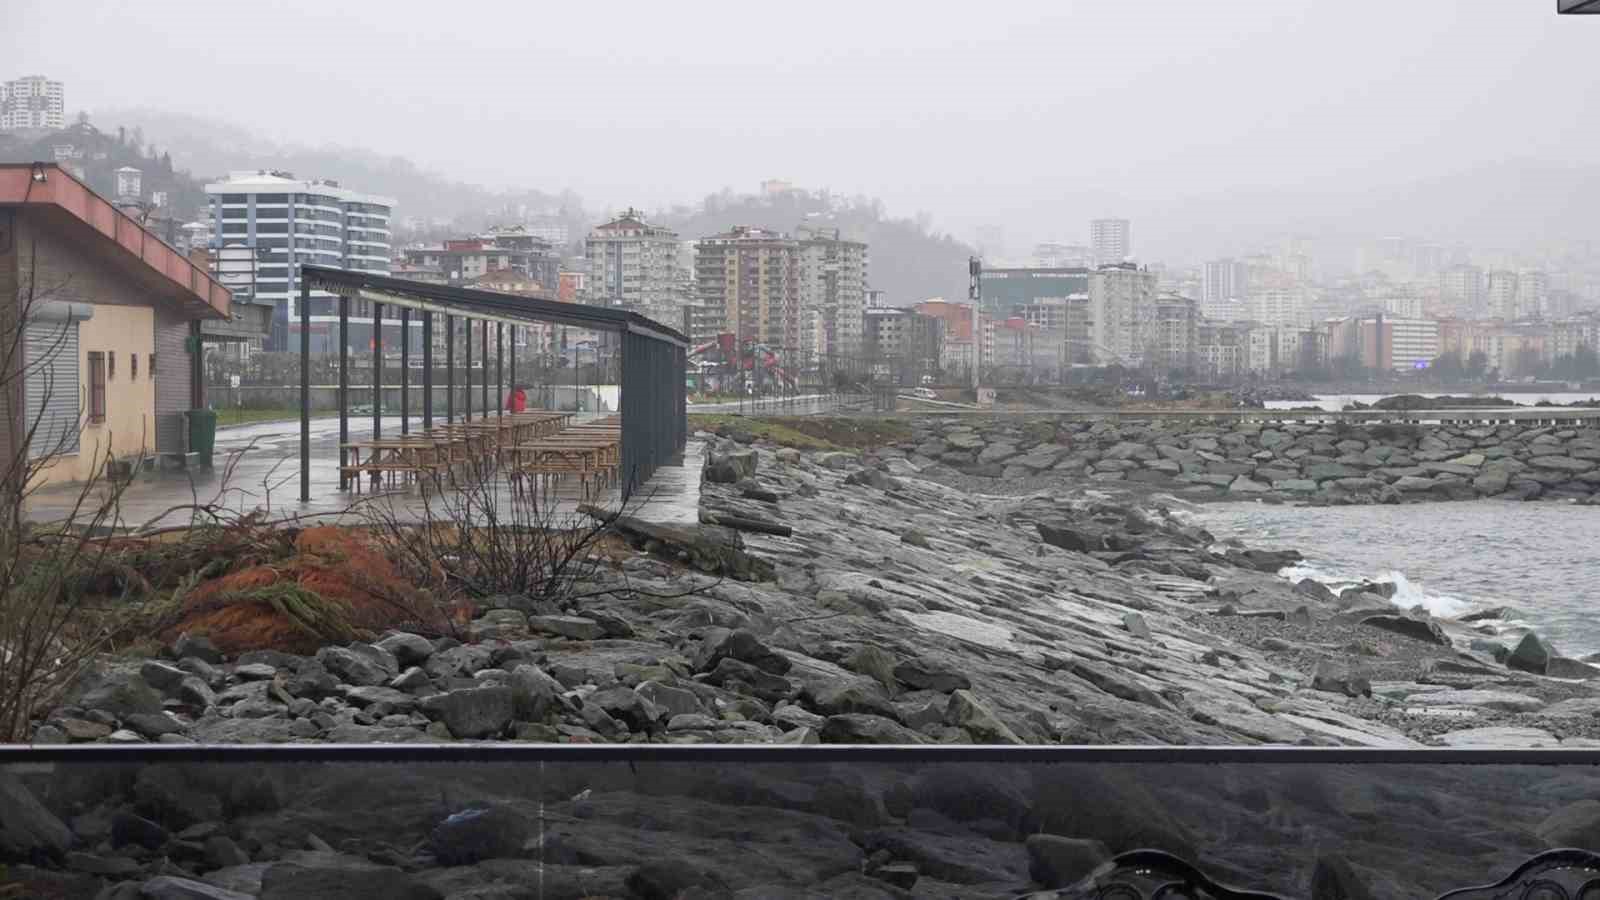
(753, 278)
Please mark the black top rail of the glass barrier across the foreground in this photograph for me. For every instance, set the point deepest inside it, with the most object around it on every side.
(444, 753)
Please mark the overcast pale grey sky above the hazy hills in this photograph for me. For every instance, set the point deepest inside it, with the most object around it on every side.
(1033, 116)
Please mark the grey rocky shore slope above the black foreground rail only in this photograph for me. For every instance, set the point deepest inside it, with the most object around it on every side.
(863, 603)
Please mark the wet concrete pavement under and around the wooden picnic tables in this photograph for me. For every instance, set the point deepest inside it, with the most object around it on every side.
(257, 467)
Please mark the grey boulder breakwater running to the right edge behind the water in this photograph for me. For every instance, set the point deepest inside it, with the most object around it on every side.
(1284, 462)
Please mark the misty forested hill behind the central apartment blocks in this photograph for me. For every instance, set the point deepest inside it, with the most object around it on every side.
(910, 262)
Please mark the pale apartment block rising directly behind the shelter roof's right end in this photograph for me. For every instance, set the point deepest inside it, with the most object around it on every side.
(633, 265)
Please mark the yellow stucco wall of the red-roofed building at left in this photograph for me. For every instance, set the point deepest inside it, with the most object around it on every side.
(130, 401)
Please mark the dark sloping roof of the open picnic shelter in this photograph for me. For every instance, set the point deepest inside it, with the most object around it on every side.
(492, 303)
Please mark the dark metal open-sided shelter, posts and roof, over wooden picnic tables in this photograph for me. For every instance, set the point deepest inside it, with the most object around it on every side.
(652, 360)
